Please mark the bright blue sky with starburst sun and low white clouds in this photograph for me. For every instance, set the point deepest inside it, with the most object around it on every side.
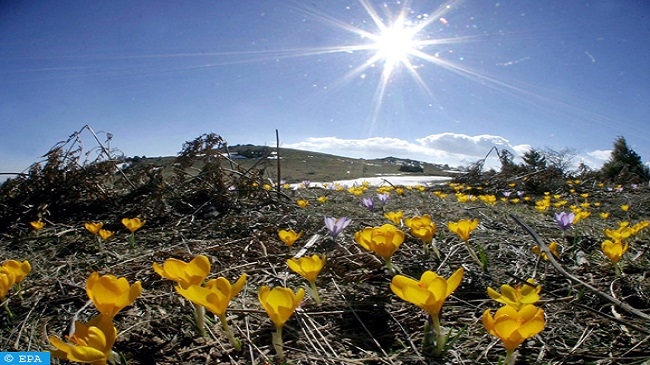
(430, 80)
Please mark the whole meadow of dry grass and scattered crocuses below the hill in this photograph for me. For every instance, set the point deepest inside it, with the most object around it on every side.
(230, 212)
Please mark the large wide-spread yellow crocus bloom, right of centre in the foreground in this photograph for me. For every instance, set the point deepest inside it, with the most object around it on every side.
(430, 292)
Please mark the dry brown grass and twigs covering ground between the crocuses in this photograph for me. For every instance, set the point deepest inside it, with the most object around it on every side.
(360, 320)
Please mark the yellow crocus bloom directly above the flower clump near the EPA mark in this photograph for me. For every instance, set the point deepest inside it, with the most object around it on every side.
(110, 294)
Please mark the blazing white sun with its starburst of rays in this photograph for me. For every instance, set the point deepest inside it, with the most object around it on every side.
(396, 39)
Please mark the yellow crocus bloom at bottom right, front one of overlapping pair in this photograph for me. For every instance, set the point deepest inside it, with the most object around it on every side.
(514, 326)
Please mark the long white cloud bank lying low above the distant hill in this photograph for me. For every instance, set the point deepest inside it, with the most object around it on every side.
(453, 149)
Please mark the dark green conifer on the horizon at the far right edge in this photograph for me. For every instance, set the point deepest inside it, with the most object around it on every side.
(624, 165)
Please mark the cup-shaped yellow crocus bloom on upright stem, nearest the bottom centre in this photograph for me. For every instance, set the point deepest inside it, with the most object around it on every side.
(280, 303)
